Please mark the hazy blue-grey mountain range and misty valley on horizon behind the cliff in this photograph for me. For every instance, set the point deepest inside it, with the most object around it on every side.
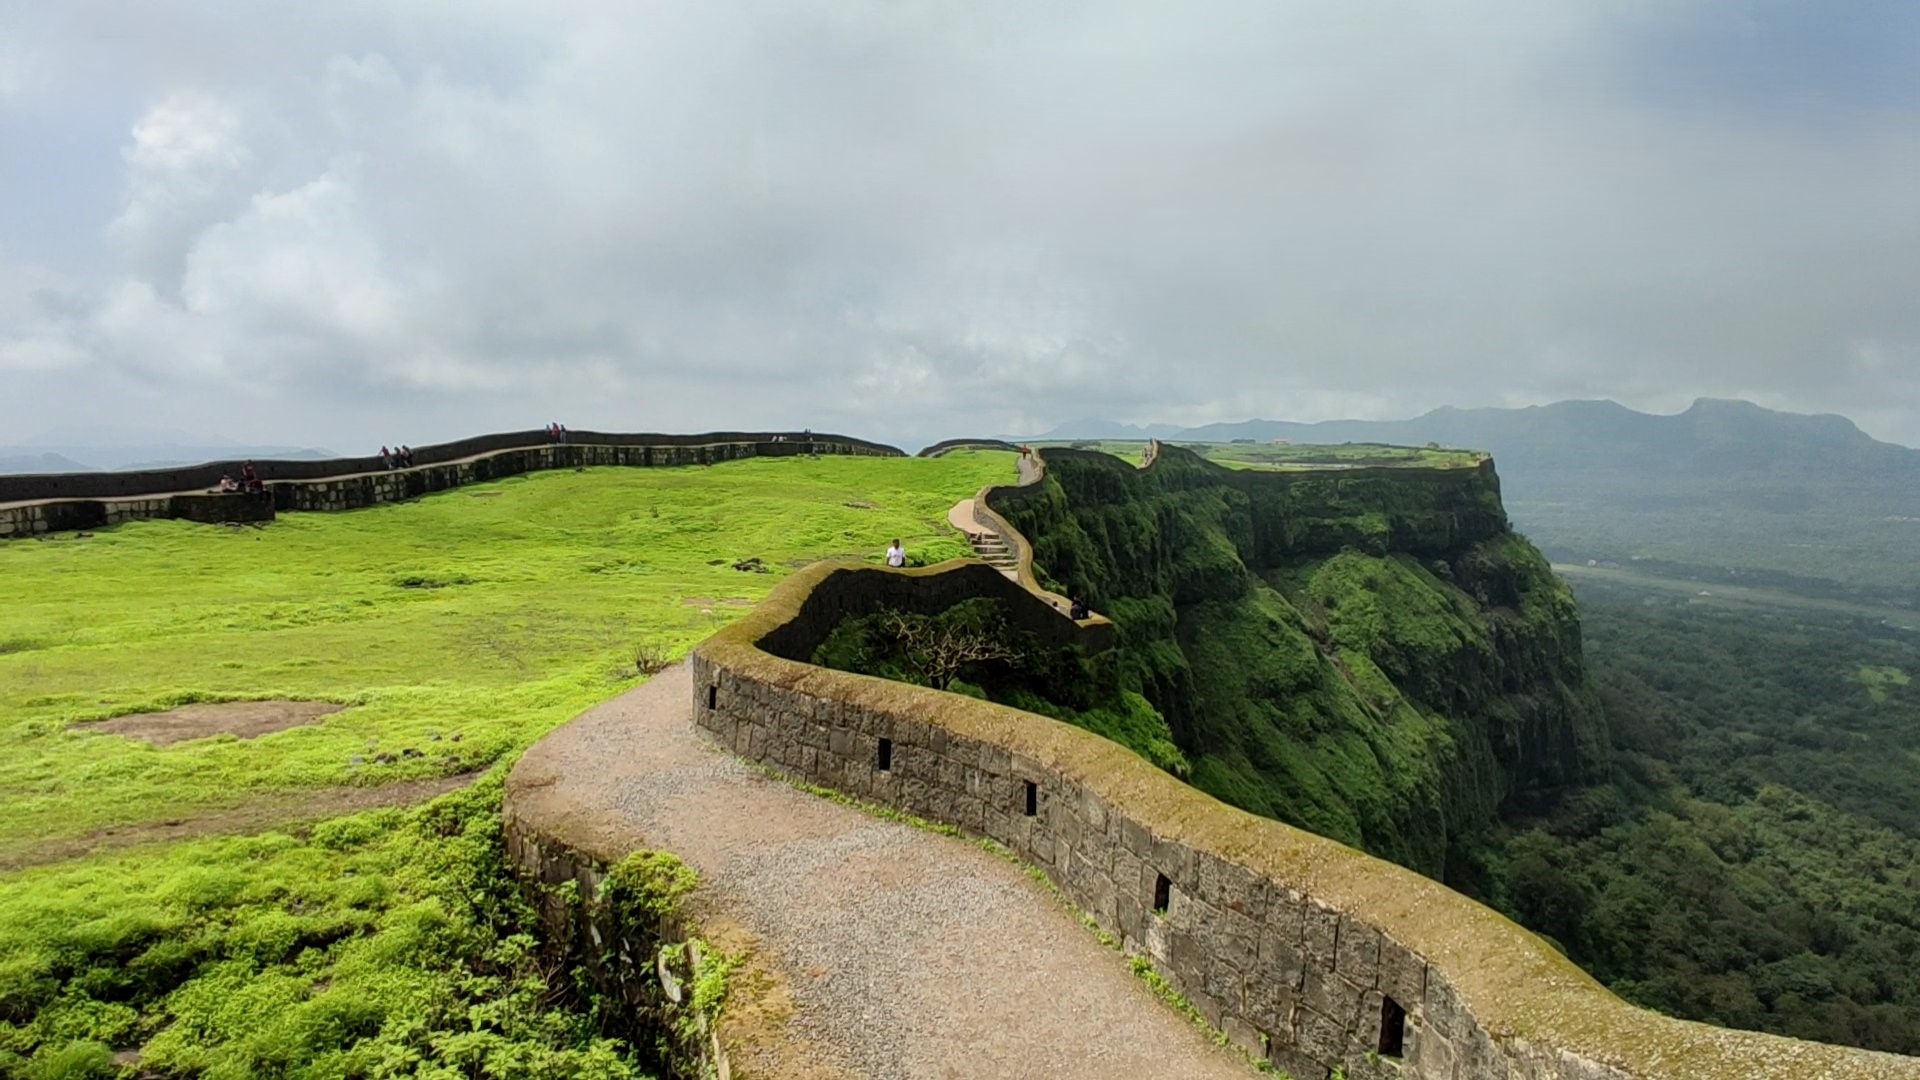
(1721, 487)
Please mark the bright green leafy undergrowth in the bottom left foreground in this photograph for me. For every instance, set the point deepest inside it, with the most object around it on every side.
(270, 956)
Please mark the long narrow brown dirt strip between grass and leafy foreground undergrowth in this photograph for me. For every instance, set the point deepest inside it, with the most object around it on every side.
(276, 810)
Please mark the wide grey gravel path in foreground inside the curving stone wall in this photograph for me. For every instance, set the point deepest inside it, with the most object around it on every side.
(903, 954)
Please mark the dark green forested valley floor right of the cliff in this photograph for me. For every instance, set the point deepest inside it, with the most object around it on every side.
(1756, 854)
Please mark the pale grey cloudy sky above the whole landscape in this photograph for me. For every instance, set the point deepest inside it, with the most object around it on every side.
(352, 222)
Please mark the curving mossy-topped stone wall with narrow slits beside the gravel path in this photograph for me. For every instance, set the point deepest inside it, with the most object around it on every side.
(1301, 950)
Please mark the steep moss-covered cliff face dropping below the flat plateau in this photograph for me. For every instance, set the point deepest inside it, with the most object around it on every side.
(1370, 654)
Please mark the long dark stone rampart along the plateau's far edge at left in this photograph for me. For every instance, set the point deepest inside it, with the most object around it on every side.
(356, 483)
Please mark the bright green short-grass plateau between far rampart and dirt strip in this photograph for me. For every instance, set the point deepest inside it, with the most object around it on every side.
(491, 614)
